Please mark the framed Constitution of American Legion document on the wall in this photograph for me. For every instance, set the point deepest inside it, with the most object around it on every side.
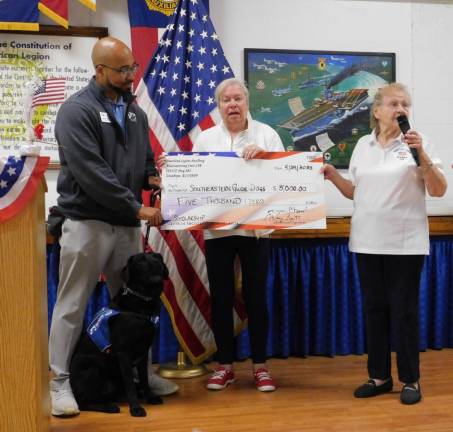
(30, 63)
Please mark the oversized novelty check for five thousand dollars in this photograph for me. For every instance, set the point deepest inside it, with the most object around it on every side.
(223, 191)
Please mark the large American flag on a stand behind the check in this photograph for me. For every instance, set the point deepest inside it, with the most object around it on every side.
(177, 93)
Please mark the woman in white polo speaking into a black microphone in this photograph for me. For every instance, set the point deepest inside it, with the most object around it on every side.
(390, 236)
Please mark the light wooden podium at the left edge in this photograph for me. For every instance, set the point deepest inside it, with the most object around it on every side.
(24, 376)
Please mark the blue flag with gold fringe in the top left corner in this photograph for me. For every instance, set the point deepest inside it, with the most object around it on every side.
(19, 15)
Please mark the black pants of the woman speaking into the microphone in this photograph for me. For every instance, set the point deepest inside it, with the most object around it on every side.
(390, 285)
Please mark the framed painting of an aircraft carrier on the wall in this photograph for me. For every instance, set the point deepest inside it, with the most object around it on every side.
(316, 100)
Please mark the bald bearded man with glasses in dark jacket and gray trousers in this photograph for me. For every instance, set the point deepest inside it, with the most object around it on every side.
(106, 162)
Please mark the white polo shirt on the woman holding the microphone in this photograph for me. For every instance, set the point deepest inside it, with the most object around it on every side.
(389, 215)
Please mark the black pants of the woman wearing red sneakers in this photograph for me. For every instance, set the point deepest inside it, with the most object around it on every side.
(253, 254)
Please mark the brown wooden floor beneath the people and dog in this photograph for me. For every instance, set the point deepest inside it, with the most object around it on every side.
(314, 395)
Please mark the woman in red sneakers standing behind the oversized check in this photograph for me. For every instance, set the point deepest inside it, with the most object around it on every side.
(237, 133)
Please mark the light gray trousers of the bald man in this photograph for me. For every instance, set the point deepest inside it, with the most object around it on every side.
(88, 248)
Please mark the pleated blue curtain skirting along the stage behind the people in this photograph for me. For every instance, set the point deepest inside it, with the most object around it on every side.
(314, 301)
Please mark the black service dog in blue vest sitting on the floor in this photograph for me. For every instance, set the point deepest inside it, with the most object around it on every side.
(101, 370)
